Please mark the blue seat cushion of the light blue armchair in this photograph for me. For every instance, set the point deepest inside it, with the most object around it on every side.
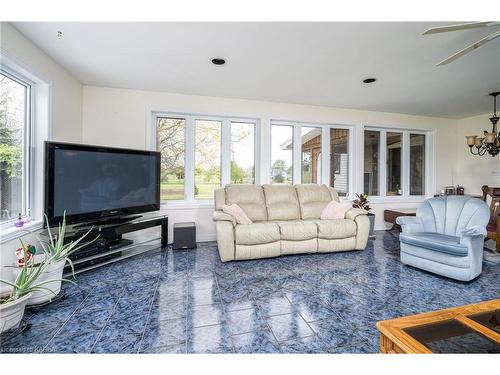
(435, 241)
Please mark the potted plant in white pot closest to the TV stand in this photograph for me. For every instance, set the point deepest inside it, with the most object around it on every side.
(56, 254)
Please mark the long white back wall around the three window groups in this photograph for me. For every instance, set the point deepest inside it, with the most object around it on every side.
(119, 117)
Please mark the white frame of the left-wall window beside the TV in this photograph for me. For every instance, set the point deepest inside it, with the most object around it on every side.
(39, 131)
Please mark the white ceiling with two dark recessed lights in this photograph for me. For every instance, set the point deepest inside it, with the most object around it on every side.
(306, 63)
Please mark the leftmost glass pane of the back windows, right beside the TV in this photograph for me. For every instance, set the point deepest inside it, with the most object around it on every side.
(171, 143)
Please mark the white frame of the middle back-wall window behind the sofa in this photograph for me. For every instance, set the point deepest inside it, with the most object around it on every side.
(325, 151)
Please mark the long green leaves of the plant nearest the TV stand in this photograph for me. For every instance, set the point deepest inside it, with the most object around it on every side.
(56, 249)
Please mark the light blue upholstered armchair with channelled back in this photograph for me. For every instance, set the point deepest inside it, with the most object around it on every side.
(446, 237)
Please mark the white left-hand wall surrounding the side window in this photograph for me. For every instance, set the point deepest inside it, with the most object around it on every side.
(65, 112)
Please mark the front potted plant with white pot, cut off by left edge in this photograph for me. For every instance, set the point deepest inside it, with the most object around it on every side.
(27, 282)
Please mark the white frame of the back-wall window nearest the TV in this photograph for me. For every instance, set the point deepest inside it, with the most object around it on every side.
(189, 200)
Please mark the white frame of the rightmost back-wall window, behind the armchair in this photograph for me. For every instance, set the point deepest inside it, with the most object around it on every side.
(430, 169)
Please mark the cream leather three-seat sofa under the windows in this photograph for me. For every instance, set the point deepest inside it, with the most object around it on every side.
(286, 220)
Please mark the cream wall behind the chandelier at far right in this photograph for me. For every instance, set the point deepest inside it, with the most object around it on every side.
(474, 171)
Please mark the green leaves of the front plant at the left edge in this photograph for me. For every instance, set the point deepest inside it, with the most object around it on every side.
(26, 280)
